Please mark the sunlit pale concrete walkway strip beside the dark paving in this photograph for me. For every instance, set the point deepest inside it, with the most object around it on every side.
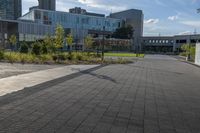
(19, 82)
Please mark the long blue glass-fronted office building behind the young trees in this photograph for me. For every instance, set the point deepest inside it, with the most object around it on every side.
(38, 23)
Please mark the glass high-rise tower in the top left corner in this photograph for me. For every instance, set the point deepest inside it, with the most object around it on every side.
(10, 9)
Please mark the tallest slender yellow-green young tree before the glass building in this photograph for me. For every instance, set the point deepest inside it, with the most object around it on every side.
(59, 37)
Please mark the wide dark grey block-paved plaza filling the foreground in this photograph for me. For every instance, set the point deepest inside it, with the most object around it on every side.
(157, 94)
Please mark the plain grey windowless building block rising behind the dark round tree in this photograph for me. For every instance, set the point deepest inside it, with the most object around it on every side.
(134, 18)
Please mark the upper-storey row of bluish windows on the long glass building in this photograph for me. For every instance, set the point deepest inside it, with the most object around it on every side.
(50, 18)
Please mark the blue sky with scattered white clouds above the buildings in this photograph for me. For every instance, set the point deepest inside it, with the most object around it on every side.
(161, 17)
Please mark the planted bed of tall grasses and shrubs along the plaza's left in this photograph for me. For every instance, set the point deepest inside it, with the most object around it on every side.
(59, 58)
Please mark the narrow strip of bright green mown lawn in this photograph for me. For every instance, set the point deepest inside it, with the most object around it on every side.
(124, 55)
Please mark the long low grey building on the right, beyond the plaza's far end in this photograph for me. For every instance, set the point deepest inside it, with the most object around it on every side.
(160, 44)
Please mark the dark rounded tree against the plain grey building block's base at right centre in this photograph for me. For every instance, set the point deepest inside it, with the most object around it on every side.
(125, 32)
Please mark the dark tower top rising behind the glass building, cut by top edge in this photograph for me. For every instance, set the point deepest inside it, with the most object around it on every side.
(47, 4)
